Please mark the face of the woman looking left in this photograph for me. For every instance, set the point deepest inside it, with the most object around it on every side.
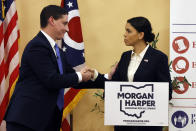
(131, 35)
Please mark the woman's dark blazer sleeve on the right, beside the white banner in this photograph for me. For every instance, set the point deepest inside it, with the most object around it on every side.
(163, 73)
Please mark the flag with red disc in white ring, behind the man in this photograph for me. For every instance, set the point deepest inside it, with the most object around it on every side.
(73, 47)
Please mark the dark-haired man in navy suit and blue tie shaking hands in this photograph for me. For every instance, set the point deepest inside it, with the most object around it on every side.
(36, 104)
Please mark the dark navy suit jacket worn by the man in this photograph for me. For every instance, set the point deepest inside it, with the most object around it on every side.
(36, 91)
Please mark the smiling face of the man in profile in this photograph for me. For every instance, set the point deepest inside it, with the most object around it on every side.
(60, 27)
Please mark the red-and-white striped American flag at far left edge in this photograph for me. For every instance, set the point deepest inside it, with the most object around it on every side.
(9, 55)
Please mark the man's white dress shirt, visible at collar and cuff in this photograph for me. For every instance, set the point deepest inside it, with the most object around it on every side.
(52, 43)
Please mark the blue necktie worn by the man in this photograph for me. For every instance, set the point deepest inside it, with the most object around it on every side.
(60, 99)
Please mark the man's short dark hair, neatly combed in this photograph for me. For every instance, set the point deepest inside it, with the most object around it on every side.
(51, 10)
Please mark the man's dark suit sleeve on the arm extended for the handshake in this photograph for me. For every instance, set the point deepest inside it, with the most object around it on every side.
(40, 61)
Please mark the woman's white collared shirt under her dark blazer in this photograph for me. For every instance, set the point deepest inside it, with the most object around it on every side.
(134, 63)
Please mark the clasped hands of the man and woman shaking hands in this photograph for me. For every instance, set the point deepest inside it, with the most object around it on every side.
(87, 74)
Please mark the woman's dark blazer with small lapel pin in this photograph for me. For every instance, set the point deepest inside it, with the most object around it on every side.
(153, 68)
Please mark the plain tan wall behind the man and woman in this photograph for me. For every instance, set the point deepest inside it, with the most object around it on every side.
(103, 24)
